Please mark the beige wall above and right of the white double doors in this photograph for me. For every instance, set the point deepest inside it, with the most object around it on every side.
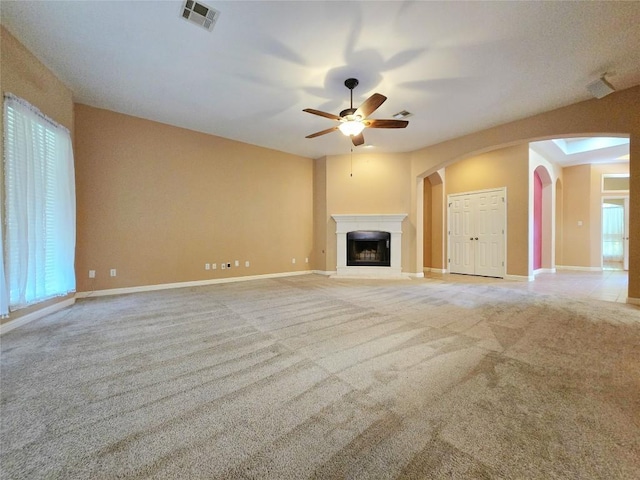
(506, 167)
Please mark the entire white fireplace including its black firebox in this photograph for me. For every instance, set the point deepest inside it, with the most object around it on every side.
(374, 232)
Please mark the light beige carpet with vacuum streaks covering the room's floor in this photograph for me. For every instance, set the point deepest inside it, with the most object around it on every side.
(310, 377)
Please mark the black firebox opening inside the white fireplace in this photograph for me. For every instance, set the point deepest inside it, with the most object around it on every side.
(368, 248)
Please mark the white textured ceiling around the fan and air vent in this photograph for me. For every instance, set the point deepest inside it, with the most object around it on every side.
(458, 67)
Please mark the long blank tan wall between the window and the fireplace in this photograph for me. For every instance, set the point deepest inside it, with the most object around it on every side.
(157, 202)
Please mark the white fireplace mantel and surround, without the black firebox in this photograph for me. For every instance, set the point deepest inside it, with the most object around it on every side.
(391, 223)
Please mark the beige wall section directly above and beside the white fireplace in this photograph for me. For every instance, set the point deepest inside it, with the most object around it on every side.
(370, 183)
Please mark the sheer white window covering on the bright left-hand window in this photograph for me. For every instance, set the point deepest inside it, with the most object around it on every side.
(39, 208)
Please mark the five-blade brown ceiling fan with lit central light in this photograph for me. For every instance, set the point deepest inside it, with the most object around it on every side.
(353, 121)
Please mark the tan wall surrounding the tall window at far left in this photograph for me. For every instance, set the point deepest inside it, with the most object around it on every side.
(23, 75)
